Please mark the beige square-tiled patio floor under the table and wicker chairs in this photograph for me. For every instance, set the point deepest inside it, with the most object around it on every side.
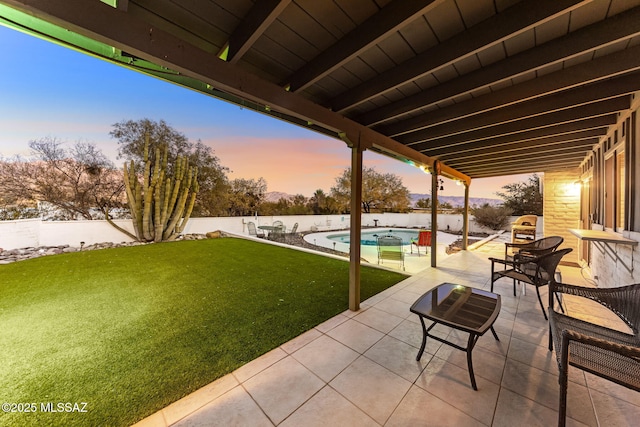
(359, 368)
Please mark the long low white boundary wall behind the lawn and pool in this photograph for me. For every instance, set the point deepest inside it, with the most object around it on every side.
(35, 232)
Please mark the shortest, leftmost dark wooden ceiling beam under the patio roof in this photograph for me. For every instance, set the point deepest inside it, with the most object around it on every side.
(254, 24)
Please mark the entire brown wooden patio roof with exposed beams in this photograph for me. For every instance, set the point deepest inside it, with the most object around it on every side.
(487, 87)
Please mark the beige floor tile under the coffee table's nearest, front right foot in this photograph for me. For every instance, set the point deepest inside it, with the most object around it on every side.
(452, 384)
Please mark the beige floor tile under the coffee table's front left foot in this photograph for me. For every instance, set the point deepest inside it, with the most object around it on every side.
(398, 357)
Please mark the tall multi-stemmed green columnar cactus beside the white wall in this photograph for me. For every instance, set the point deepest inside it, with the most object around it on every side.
(162, 203)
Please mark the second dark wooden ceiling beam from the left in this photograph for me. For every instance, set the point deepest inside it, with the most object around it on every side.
(390, 19)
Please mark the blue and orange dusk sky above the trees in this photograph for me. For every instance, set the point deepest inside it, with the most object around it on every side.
(50, 91)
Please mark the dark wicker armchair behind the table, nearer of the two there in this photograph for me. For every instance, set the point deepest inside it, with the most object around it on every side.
(537, 271)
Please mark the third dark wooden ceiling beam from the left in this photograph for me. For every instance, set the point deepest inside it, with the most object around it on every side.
(492, 31)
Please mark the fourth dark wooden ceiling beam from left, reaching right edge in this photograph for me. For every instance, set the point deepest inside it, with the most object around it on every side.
(599, 35)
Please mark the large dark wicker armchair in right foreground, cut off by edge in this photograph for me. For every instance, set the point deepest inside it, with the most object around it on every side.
(604, 352)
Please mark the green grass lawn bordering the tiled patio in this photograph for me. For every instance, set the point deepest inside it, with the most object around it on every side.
(129, 330)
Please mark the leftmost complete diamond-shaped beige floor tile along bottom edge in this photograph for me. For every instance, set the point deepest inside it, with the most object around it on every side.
(280, 389)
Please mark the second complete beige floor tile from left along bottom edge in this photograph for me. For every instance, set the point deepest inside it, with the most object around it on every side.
(372, 388)
